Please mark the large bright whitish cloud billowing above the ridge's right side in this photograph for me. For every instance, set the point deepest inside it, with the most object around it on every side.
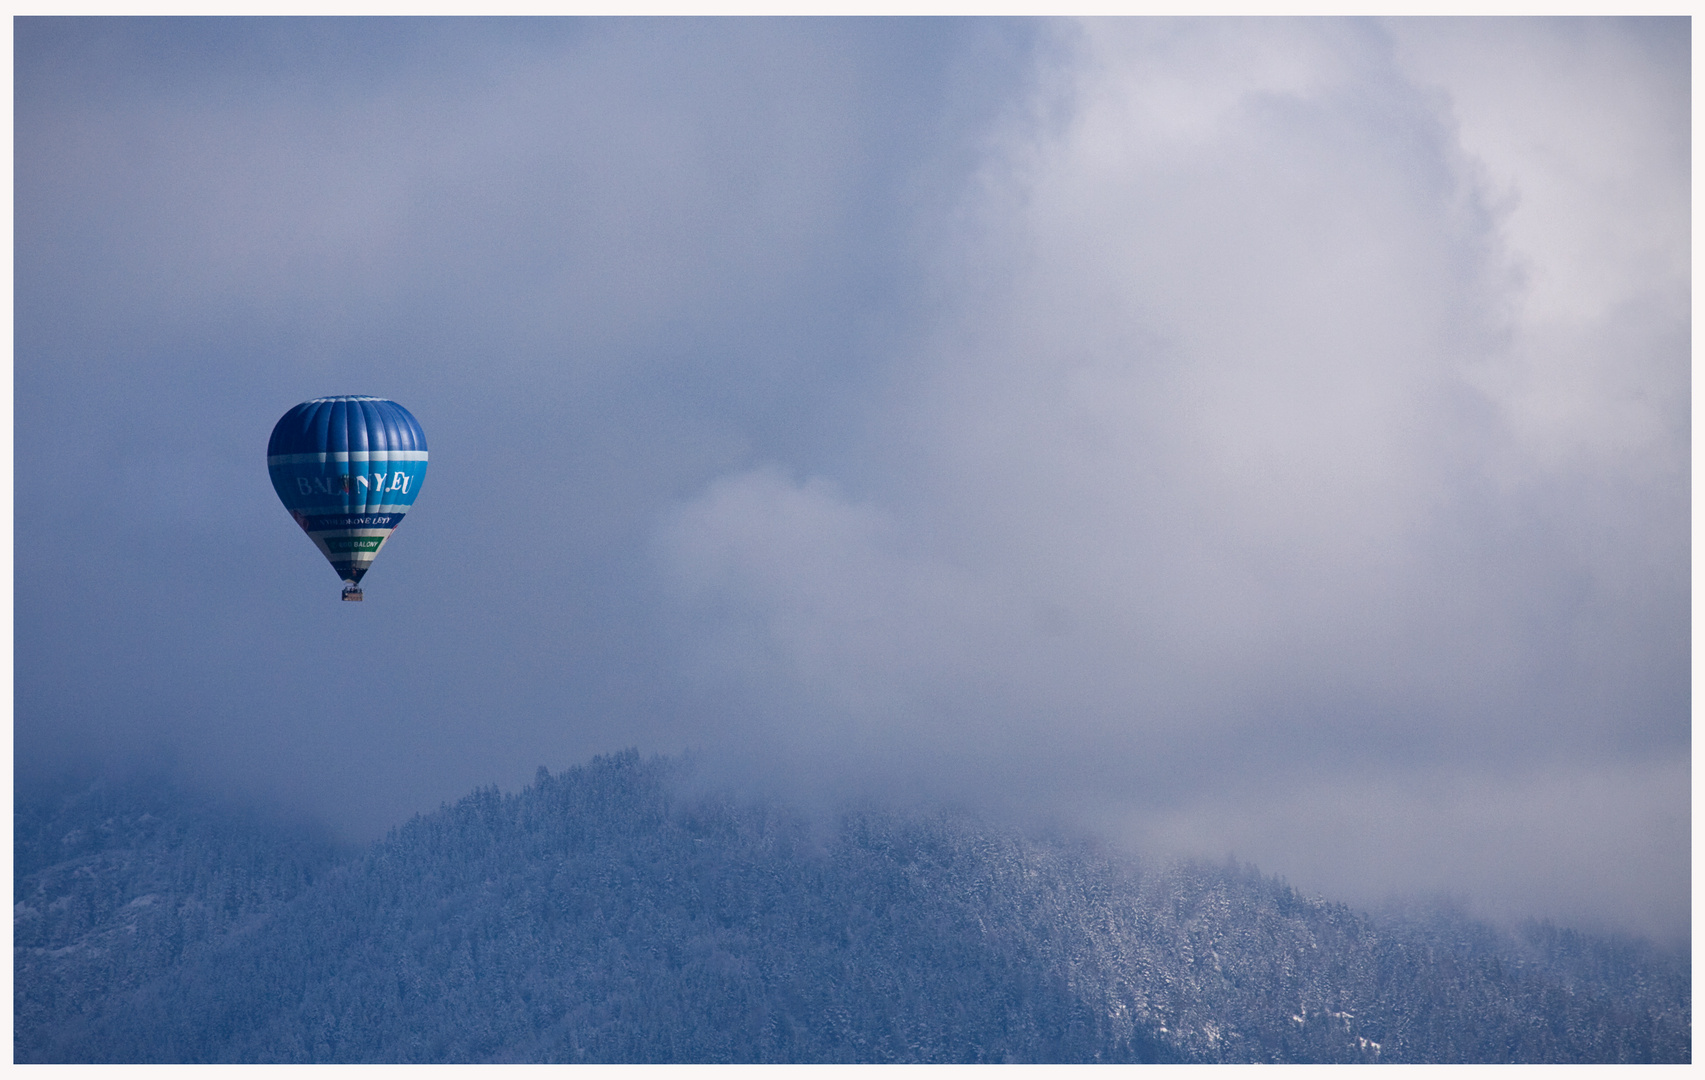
(1307, 412)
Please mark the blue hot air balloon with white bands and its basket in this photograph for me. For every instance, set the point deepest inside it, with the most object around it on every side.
(349, 470)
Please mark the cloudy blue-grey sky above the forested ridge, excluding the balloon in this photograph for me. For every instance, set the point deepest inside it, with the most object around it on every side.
(1240, 438)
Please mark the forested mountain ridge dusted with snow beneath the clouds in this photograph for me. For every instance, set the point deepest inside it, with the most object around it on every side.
(608, 915)
